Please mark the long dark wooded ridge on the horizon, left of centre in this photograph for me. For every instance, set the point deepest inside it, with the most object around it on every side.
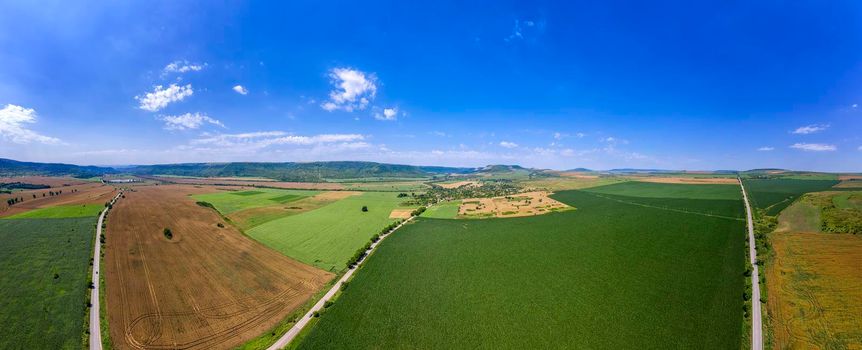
(301, 172)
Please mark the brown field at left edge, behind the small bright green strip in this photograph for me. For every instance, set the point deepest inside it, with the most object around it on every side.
(86, 193)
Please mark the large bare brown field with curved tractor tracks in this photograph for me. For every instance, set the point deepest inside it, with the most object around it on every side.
(201, 286)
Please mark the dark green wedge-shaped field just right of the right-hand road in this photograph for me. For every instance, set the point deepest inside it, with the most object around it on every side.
(773, 195)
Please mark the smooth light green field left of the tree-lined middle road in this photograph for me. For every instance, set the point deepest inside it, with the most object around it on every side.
(327, 237)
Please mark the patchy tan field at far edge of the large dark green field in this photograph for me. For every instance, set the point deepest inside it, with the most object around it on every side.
(521, 204)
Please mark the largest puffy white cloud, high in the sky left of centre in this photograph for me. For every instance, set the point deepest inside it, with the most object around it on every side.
(352, 90)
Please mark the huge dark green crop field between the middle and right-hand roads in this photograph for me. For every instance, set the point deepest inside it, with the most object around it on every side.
(609, 275)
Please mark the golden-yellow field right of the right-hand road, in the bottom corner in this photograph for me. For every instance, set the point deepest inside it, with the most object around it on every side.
(815, 291)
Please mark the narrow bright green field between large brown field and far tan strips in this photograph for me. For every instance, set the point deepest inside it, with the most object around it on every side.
(231, 201)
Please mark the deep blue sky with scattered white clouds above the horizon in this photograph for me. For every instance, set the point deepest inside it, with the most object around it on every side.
(723, 85)
